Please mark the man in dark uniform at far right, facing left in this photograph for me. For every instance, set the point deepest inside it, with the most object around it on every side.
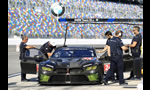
(136, 53)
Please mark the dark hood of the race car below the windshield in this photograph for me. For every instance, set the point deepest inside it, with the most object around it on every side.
(70, 62)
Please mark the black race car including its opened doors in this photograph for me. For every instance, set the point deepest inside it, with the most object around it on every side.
(70, 65)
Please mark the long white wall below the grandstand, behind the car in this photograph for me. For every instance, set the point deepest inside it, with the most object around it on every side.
(17, 41)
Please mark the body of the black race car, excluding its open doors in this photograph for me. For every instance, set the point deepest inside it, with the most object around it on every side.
(71, 65)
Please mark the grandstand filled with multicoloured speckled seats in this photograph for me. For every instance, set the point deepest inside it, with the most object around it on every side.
(33, 18)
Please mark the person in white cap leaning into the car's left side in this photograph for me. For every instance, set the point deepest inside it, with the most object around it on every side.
(48, 48)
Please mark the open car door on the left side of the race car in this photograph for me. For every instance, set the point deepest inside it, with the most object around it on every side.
(32, 57)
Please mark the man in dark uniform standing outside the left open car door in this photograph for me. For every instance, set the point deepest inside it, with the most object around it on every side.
(23, 47)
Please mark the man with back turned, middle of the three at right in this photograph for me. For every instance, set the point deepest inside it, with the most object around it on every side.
(116, 57)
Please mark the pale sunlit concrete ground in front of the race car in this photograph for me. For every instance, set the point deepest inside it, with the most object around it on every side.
(14, 83)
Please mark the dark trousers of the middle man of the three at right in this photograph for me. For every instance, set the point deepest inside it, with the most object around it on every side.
(116, 63)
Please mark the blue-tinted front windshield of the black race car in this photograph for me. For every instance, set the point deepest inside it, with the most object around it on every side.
(73, 53)
